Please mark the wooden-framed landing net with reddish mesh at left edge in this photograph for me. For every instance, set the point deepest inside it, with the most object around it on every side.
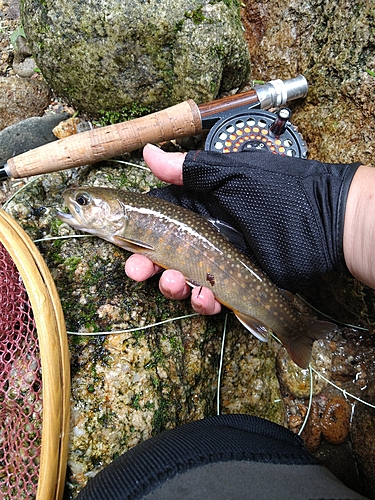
(34, 372)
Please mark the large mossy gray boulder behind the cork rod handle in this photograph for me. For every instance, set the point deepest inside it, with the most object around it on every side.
(109, 54)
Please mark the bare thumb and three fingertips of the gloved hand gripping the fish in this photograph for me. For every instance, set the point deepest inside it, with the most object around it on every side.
(168, 167)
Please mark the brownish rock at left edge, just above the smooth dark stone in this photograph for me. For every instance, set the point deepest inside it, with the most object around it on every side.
(21, 98)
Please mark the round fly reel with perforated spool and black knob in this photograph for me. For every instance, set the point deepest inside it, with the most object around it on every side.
(257, 129)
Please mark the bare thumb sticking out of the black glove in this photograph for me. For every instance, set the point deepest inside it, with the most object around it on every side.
(166, 166)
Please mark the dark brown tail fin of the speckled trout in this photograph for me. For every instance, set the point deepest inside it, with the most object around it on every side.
(300, 346)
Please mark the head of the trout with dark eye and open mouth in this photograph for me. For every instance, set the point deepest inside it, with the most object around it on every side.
(93, 210)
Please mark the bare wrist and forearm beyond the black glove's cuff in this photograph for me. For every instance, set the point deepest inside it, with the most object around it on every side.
(359, 226)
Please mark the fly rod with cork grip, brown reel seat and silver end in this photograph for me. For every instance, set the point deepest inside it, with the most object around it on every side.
(181, 120)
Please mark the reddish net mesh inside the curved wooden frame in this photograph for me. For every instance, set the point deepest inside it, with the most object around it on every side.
(20, 387)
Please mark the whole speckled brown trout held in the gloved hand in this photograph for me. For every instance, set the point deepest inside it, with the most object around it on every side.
(176, 238)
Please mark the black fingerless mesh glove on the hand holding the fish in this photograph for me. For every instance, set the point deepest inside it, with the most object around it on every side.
(289, 210)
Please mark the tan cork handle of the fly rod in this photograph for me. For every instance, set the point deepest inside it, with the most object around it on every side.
(181, 120)
